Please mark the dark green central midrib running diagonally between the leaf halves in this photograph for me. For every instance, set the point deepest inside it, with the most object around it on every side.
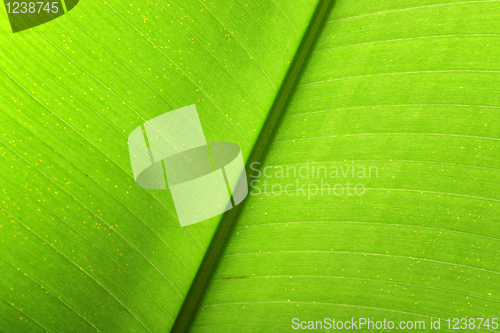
(201, 282)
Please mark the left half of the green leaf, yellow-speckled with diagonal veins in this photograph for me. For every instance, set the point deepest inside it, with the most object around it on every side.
(85, 248)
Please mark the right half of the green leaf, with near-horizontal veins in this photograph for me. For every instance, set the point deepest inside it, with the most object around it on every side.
(406, 87)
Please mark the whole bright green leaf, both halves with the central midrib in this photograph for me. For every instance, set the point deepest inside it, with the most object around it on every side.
(406, 90)
